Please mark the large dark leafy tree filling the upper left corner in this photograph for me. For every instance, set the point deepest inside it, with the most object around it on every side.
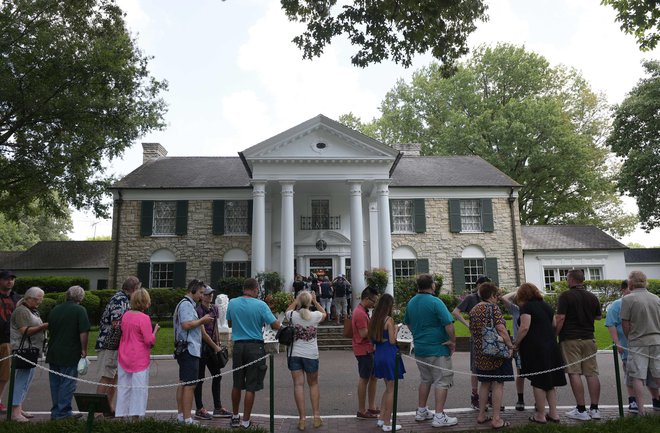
(74, 92)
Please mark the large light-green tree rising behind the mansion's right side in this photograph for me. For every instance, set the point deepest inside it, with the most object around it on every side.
(540, 125)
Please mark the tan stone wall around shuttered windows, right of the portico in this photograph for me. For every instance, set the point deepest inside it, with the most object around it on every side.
(440, 246)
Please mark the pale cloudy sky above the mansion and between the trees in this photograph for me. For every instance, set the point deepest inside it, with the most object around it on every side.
(236, 79)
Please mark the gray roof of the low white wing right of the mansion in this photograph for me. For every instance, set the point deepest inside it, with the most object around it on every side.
(568, 237)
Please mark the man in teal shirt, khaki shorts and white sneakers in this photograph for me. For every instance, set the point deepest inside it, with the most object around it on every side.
(432, 326)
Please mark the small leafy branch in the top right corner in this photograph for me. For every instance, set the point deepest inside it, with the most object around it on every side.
(640, 19)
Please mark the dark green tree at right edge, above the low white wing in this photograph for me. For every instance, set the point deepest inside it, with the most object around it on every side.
(635, 137)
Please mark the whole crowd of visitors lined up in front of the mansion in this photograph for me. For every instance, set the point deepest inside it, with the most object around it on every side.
(564, 337)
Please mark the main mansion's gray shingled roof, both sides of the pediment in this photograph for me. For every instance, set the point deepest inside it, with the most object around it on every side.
(229, 172)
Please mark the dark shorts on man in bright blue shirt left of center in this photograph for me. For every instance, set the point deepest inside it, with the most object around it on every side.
(249, 378)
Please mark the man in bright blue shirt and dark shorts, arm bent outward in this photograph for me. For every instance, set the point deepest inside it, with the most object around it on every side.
(247, 315)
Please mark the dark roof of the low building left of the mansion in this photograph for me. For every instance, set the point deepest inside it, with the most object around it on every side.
(64, 255)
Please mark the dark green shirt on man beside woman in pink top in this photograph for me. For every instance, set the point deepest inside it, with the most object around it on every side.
(65, 323)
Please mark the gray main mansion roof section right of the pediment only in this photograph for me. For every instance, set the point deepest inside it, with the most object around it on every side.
(448, 171)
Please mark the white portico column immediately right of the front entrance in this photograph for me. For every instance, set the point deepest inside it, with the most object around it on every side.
(357, 241)
